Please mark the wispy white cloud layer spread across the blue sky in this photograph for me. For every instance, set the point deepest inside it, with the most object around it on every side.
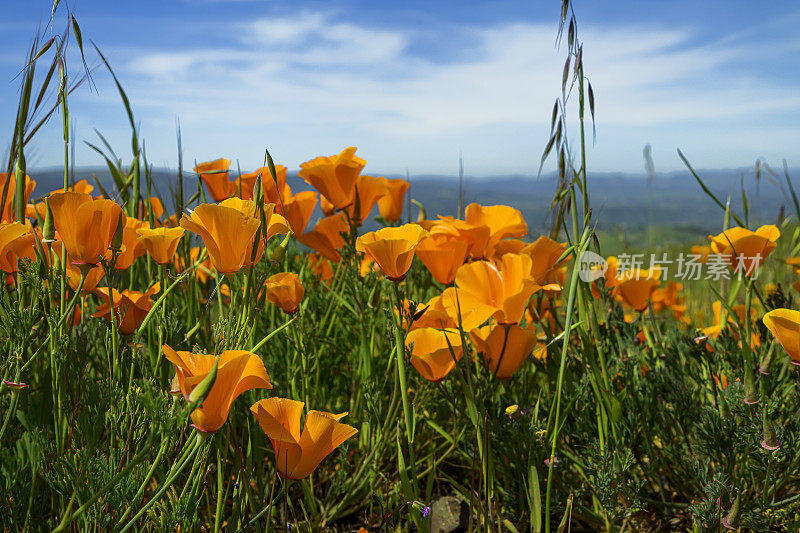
(312, 77)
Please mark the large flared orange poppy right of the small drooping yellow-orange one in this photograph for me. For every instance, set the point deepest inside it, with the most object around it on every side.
(227, 232)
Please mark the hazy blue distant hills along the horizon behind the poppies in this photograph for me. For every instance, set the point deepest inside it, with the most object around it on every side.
(619, 200)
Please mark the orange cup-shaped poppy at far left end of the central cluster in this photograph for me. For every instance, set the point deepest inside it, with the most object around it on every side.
(392, 248)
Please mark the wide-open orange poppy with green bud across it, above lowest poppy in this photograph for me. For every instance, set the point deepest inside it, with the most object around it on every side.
(238, 371)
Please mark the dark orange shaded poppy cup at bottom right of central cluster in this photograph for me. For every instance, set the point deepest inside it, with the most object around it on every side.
(505, 347)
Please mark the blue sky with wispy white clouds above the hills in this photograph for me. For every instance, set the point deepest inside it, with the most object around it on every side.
(411, 83)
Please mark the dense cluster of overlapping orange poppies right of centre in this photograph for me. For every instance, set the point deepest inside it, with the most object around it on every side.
(494, 275)
